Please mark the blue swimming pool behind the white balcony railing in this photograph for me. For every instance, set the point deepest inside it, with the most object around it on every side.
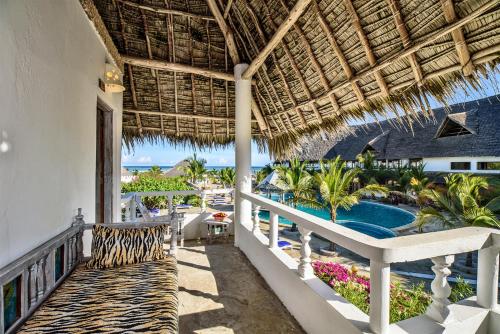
(370, 218)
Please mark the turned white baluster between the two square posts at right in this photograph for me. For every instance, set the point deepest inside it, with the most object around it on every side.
(439, 309)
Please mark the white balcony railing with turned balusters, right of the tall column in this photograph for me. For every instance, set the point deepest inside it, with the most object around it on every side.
(440, 247)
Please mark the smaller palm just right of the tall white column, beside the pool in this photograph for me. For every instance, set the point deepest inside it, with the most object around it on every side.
(297, 182)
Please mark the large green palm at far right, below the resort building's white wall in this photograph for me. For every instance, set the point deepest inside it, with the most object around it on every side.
(459, 205)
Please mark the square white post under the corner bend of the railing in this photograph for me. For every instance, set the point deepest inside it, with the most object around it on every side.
(380, 285)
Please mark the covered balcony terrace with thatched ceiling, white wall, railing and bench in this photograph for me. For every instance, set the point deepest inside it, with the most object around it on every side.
(300, 67)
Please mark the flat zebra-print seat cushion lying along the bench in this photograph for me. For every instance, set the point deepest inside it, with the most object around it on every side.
(139, 298)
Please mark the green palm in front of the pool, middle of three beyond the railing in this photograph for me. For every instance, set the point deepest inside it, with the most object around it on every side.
(334, 182)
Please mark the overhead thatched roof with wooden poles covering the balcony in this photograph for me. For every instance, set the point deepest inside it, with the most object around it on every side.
(340, 60)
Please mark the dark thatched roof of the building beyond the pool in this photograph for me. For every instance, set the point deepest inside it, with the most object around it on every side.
(479, 121)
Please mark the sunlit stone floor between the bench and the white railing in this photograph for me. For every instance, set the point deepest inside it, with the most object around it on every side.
(221, 292)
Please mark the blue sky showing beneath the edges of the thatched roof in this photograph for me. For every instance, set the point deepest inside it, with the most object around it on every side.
(168, 155)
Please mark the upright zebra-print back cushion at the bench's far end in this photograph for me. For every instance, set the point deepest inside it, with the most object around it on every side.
(113, 247)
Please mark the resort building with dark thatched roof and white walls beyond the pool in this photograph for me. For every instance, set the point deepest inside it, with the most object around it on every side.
(461, 138)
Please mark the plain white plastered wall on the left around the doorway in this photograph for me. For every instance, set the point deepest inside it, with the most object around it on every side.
(50, 62)
